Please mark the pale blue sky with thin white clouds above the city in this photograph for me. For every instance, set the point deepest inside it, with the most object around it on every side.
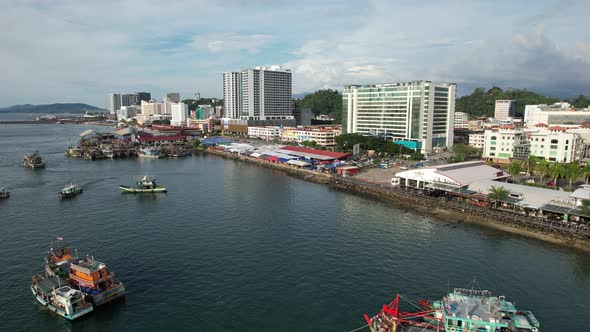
(80, 51)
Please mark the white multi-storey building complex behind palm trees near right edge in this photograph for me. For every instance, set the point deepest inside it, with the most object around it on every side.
(555, 144)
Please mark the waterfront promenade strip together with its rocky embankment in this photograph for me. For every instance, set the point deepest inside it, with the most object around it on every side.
(442, 207)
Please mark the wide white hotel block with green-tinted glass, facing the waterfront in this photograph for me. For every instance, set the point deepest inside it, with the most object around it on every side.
(419, 112)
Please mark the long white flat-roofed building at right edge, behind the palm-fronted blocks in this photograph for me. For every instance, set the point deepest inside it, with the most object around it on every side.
(558, 114)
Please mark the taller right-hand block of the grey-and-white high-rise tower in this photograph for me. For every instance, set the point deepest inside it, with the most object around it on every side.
(266, 93)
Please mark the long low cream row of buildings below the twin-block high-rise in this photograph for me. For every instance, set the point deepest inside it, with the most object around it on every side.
(323, 136)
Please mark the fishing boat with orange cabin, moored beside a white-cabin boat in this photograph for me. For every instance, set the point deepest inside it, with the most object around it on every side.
(95, 280)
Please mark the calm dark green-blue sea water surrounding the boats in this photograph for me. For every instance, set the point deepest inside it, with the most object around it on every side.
(236, 247)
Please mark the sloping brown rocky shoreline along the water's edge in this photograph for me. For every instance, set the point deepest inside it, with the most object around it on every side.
(445, 211)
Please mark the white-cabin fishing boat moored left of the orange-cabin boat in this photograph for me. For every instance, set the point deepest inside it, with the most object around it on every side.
(55, 294)
